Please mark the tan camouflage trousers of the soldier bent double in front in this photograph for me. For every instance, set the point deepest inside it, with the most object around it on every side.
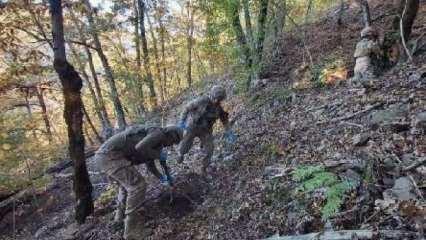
(132, 187)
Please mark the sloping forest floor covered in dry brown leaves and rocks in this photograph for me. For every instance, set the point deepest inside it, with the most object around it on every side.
(364, 135)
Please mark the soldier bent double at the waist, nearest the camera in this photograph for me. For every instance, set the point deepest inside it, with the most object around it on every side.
(117, 157)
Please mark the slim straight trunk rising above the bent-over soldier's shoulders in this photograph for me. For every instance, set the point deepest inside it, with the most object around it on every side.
(152, 94)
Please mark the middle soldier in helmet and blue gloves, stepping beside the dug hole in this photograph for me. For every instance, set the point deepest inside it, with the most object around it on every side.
(198, 118)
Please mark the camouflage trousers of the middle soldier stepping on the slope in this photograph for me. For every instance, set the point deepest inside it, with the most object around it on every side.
(207, 144)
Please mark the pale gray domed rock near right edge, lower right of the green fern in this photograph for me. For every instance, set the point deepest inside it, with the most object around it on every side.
(402, 190)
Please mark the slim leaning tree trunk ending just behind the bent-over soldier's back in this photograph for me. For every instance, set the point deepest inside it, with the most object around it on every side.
(119, 112)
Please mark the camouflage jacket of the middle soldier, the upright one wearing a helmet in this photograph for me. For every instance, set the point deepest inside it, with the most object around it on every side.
(202, 113)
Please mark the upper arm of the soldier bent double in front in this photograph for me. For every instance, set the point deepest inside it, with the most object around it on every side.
(148, 147)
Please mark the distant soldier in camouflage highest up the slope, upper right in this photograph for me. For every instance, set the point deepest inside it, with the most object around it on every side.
(367, 53)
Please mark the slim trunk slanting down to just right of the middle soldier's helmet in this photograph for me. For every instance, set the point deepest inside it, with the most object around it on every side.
(241, 39)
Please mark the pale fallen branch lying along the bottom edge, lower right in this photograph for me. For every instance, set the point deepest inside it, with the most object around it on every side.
(351, 234)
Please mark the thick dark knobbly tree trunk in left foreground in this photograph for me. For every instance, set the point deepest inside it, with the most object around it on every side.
(72, 84)
